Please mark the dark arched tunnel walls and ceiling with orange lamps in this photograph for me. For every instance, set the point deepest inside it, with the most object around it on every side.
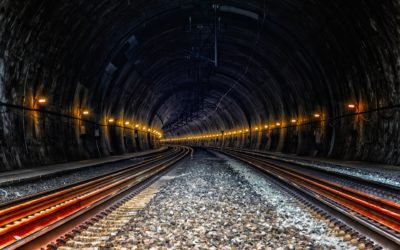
(86, 80)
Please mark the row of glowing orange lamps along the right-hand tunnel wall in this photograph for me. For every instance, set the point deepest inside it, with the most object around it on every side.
(243, 131)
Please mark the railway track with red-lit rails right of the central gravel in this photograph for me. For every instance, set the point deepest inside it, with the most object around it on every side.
(370, 207)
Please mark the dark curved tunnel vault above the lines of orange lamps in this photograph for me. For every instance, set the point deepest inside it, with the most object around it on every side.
(153, 61)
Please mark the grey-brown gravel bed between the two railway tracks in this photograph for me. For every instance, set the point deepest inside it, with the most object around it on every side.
(216, 202)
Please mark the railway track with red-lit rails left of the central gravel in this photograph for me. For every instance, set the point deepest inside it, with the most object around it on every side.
(37, 220)
